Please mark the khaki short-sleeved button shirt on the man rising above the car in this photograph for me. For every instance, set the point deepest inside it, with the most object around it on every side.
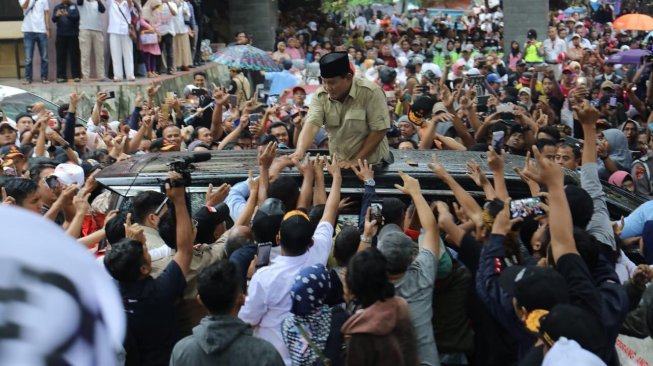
(349, 123)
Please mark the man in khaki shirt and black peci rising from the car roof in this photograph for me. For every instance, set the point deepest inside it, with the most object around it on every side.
(353, 111)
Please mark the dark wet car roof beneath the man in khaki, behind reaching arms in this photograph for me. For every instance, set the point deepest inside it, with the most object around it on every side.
(149, 171)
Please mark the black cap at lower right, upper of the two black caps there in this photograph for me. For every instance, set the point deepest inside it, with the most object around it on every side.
(535, 287)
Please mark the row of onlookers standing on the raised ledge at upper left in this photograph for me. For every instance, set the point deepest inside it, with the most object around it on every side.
(160, 35)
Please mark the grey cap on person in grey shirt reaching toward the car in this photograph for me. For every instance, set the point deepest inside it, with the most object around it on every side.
(397, 248)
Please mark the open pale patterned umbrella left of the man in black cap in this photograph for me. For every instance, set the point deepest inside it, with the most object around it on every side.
(246, 57)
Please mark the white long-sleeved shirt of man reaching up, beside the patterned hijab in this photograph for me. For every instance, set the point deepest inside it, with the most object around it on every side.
(268, 300)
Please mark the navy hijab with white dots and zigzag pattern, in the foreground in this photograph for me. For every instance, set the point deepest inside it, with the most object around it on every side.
(311, 287)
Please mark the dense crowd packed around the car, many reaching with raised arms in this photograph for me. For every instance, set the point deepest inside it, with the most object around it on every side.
(263, 273)
